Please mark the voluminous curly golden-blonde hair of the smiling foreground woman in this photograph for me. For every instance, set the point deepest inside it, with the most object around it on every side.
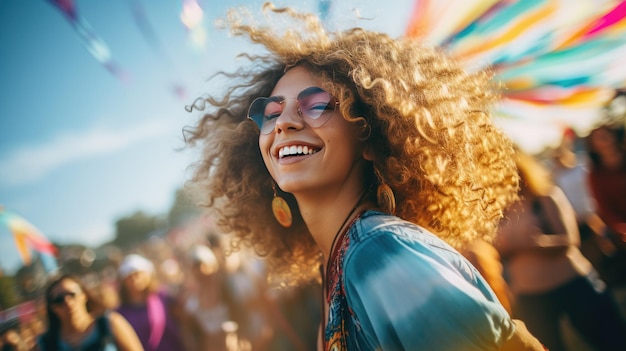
(427, 119)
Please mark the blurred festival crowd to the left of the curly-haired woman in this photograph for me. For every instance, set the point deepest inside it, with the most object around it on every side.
(173, 297)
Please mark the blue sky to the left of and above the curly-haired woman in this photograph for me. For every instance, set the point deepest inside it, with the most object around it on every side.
(80, 148)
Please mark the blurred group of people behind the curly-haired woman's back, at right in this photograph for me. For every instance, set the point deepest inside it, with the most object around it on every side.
(558, 262)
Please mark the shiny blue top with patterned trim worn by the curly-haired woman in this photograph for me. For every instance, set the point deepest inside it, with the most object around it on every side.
(392, 285)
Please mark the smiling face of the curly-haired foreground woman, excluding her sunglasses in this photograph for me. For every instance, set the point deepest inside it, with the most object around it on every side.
(324, 157)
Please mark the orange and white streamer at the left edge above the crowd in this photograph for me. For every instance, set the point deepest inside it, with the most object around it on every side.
(26, 236)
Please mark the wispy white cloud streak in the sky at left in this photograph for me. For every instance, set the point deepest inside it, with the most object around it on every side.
(32, 162)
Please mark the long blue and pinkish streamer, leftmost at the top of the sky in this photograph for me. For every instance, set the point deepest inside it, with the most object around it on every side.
(93, 43)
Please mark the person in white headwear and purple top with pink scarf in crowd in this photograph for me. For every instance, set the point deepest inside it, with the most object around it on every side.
(158, 318)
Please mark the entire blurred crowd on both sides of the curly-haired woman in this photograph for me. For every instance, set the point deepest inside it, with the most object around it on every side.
(558, 264)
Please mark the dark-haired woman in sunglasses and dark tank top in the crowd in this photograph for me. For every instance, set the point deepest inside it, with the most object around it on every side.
(76, 321)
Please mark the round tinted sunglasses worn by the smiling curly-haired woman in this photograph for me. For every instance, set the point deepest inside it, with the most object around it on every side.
(315, 105)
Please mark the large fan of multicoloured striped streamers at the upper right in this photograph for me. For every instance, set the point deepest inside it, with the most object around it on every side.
(560, 61)
